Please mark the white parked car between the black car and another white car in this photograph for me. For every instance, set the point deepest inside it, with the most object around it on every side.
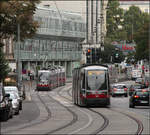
(15, 102)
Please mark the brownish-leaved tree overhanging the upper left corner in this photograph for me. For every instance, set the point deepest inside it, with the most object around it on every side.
(13, 13)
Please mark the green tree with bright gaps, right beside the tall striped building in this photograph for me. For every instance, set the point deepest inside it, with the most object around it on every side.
(115, 20)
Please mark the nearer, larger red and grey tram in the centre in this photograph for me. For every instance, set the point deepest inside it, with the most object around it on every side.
(91, 85)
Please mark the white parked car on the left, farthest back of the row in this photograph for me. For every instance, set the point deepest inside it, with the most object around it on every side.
(14, 89)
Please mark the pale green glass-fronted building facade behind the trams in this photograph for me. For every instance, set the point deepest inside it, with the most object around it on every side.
(57, 42)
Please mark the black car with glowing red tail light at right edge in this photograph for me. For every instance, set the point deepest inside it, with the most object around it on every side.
(139, 98)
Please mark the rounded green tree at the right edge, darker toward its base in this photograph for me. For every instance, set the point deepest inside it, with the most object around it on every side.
(137, 26)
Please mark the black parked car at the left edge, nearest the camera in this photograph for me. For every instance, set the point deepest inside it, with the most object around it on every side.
(5, 105)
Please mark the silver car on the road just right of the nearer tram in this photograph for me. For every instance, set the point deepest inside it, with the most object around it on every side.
(119, 89)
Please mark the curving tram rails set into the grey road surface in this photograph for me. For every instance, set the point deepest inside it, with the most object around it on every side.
(75, 117)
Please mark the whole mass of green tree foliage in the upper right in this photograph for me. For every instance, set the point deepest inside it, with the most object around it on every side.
(135, 26)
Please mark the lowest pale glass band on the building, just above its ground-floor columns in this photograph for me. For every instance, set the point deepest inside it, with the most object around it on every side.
(49, 55)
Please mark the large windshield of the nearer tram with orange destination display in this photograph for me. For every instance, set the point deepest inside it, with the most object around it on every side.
(96, 80)
